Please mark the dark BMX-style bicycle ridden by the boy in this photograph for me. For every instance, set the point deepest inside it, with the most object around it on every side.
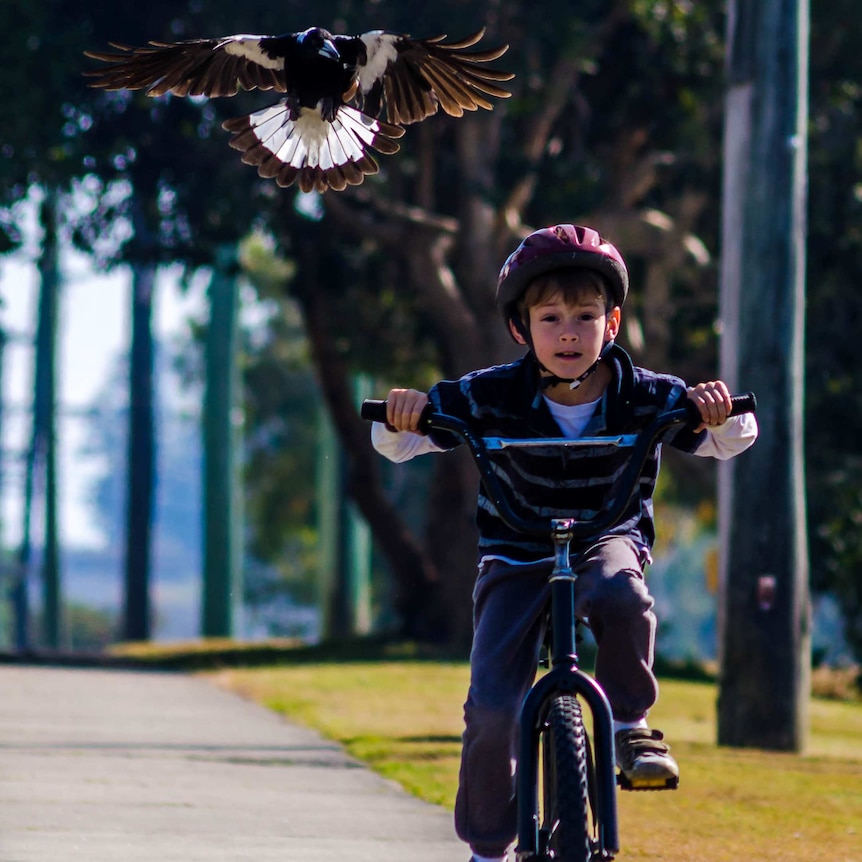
(575, 820)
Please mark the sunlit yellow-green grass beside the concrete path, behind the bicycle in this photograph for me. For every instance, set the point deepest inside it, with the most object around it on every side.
(404, 719)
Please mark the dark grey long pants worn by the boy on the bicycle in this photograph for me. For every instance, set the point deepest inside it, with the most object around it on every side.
(509, 618)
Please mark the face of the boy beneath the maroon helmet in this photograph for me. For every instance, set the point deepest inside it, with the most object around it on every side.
(568, 333)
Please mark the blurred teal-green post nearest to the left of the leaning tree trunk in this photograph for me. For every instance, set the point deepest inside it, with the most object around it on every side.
(222, 593)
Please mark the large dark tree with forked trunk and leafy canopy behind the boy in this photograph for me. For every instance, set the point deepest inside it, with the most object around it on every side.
(421, 245)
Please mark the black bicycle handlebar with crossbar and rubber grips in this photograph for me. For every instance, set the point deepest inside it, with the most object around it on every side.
(641, 443)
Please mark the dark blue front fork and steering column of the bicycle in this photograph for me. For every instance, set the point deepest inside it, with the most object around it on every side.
(565, 677)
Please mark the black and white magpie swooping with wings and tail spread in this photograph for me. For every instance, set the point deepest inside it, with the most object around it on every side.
(336, 88)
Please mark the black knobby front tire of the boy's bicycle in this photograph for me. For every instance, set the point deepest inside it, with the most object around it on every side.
(565, 793)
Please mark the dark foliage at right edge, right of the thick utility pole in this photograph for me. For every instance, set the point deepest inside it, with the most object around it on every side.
(833, 450)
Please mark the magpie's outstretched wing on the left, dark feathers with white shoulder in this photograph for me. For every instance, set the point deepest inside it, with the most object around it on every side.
(198, 67)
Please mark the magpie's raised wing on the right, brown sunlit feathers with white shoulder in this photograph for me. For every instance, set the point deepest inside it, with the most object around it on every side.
(414, 77)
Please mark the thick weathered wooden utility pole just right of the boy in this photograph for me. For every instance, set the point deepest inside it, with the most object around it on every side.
(764, 608)
